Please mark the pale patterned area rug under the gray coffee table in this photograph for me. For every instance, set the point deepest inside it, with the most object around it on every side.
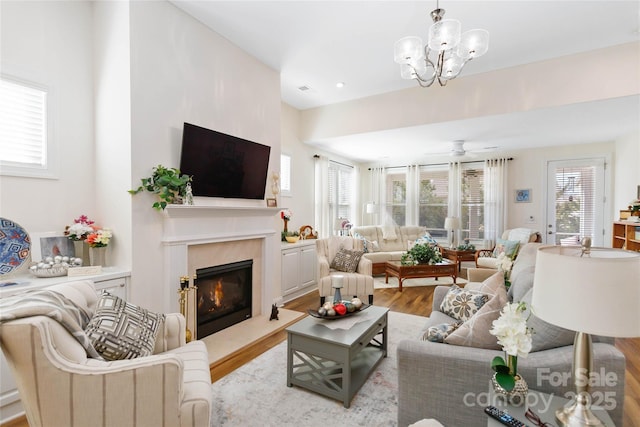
(256, 394)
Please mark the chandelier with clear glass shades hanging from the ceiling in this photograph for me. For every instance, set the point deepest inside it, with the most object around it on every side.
(453, 50)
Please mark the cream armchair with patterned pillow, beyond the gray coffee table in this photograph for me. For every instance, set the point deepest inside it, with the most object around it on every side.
(358, 283)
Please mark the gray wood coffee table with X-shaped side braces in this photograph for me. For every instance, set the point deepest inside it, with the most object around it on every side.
(336, 362)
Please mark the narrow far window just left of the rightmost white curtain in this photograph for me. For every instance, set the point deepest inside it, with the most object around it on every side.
(472, 202)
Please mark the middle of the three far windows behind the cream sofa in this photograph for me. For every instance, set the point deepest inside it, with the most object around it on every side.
(434, 199)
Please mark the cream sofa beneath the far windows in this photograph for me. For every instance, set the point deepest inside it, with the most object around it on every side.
(386, 243)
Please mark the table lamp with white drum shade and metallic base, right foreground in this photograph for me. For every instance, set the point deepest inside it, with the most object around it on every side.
(593, 291)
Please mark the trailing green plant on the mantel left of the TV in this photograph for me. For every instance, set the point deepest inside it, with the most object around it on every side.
(168, 183)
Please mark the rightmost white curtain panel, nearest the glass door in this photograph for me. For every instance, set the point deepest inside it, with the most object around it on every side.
(495, 199)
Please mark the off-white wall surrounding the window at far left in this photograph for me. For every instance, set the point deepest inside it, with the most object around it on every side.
(50, 43)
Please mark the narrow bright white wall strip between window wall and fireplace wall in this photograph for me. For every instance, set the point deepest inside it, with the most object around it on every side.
(113, 125)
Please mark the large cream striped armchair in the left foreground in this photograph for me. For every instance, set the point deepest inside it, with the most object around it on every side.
(60, 386)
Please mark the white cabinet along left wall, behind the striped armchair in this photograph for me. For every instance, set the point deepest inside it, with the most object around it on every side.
(112, 279)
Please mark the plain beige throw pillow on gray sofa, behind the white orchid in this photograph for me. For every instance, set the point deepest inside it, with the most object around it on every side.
(475, 331)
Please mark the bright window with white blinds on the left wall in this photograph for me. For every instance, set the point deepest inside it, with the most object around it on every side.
(24, 148)
